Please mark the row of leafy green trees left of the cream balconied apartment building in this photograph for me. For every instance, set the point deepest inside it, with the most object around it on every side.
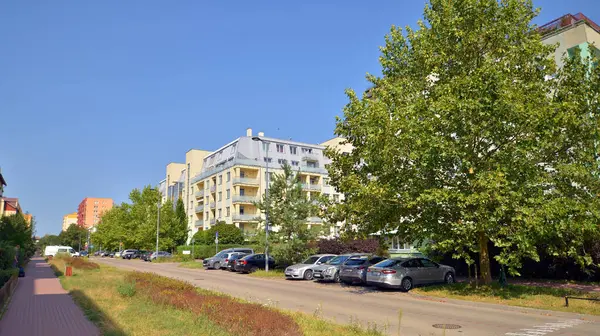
(133, 225)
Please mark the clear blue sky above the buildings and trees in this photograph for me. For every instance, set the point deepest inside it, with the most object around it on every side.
(96, 97)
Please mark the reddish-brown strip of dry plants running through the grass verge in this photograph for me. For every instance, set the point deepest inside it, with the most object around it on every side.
(237, 317)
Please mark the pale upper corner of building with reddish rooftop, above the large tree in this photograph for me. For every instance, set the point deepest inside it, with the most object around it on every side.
(571, 31)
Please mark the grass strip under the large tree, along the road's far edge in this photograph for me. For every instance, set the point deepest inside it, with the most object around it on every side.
(518, 295)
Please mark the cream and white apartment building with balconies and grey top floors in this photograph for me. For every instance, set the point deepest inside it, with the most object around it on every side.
(234, 177)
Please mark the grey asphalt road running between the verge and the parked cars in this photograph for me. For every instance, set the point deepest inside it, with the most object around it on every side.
(366, 305)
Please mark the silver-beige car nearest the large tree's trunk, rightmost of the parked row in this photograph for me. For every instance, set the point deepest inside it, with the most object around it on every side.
(405, 273)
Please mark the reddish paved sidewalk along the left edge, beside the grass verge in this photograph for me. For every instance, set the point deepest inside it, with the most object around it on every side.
(41, 307)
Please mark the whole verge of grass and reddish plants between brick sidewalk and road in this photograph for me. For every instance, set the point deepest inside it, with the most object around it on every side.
(132, 303)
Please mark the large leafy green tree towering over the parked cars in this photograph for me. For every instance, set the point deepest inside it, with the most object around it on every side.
(466, 141)
